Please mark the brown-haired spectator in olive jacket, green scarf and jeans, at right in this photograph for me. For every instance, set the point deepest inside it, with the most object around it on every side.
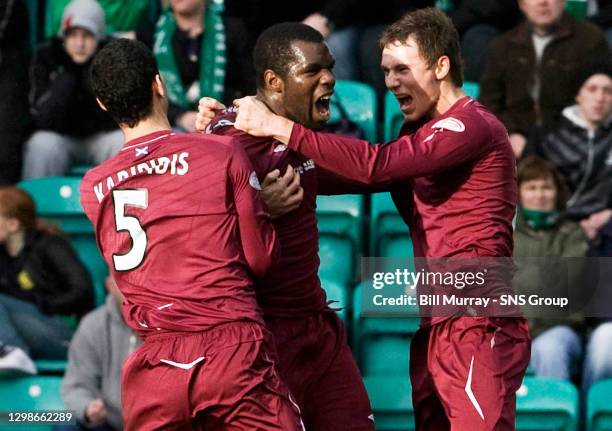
(543, 231)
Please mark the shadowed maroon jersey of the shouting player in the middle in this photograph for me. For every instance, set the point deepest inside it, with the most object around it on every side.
(292, 287)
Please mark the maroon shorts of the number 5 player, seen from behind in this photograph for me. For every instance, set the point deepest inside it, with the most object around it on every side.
(221, 379)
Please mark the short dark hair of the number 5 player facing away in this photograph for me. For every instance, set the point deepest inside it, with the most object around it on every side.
(122, 76)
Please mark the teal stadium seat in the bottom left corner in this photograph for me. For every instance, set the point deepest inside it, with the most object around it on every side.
(32, 393)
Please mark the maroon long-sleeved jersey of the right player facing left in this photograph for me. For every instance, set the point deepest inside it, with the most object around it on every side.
(462, 175)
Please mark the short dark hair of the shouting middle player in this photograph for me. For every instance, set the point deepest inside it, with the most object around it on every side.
(273, 47)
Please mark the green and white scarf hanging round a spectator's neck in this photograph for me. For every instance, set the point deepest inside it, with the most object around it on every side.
(212, 56)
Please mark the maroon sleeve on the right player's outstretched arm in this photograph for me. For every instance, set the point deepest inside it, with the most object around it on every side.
(431, 150)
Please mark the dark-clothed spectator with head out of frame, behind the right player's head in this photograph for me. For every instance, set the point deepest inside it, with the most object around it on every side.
(478, 23)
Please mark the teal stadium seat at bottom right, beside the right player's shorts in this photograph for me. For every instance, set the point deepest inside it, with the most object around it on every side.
(546, 404)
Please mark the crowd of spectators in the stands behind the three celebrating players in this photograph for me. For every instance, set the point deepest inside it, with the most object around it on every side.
(545, 73)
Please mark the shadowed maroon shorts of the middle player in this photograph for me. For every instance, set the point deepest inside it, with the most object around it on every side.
(321, 373)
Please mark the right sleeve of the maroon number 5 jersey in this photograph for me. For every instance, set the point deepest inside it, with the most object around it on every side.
(256, 232)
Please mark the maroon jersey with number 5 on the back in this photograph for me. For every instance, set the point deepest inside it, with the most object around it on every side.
(178, 219)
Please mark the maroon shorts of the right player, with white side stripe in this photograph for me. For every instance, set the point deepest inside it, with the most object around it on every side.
(465, 373)
